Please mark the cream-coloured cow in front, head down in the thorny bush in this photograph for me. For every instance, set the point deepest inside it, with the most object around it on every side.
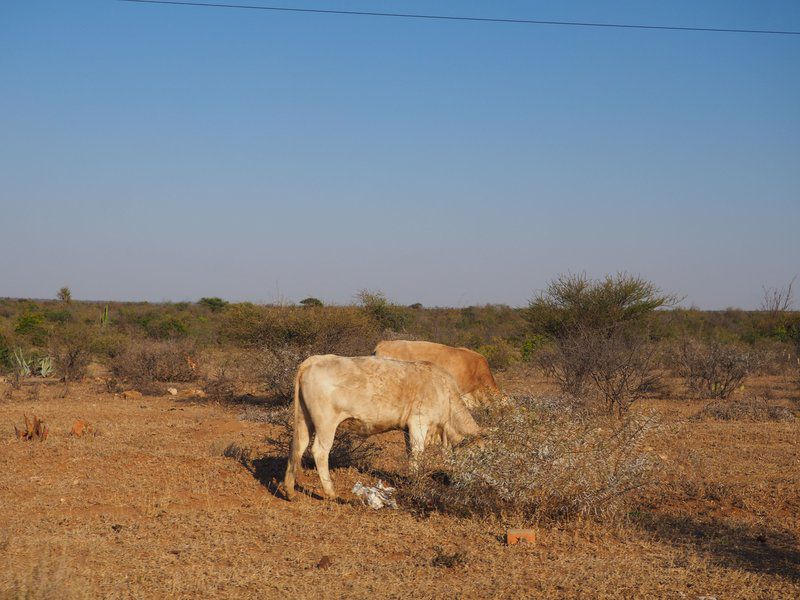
(381, 394)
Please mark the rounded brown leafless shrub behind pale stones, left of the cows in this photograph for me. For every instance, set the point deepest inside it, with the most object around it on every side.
(147, 363)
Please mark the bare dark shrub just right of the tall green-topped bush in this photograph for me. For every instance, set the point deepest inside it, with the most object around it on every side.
(712, 369)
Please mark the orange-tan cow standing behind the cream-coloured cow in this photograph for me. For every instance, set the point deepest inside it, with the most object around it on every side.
(470, 369)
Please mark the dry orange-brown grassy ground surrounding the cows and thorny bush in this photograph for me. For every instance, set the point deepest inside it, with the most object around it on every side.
(146, 510)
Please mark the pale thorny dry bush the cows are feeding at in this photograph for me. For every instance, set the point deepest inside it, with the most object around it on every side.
(540, 461)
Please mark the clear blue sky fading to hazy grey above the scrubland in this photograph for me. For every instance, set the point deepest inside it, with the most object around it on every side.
(162, 152)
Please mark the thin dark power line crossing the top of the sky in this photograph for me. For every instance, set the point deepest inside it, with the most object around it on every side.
(455, 18)
